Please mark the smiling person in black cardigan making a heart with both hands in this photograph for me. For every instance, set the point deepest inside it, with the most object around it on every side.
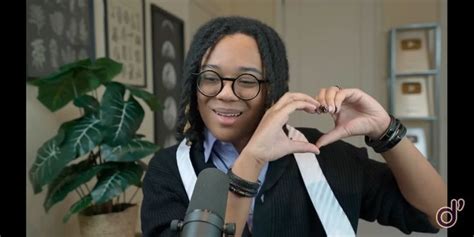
(233, 116)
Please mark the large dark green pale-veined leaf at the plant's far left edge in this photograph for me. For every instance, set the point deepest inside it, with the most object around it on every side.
(50, 160)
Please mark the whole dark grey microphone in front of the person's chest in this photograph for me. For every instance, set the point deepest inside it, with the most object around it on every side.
(206, 211)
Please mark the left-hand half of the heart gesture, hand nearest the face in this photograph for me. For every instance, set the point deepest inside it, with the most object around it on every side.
(269, 141)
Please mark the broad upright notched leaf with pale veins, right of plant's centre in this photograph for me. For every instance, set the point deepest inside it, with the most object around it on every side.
(120, 118)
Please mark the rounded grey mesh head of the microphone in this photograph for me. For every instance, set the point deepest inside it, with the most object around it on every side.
(210, 192)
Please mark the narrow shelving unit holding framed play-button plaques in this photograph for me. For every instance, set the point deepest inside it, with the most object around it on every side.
(414, 83)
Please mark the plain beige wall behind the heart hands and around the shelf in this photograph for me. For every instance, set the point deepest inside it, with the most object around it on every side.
(342, 42)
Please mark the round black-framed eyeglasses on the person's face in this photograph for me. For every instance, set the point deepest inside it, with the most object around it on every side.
(245, 86)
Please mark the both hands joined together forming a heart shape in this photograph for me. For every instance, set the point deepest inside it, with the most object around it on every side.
(354, 113)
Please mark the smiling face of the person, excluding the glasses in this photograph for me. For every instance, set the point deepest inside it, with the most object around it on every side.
(229, 118)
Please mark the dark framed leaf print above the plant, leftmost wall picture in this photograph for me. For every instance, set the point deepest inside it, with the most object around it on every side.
(57, 33)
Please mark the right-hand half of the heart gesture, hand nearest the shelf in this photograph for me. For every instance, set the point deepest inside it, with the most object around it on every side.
(354, 113)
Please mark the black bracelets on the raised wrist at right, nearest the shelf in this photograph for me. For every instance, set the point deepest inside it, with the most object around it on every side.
(391, 137)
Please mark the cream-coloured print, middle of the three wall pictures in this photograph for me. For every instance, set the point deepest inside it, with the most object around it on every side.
(125, 39)
